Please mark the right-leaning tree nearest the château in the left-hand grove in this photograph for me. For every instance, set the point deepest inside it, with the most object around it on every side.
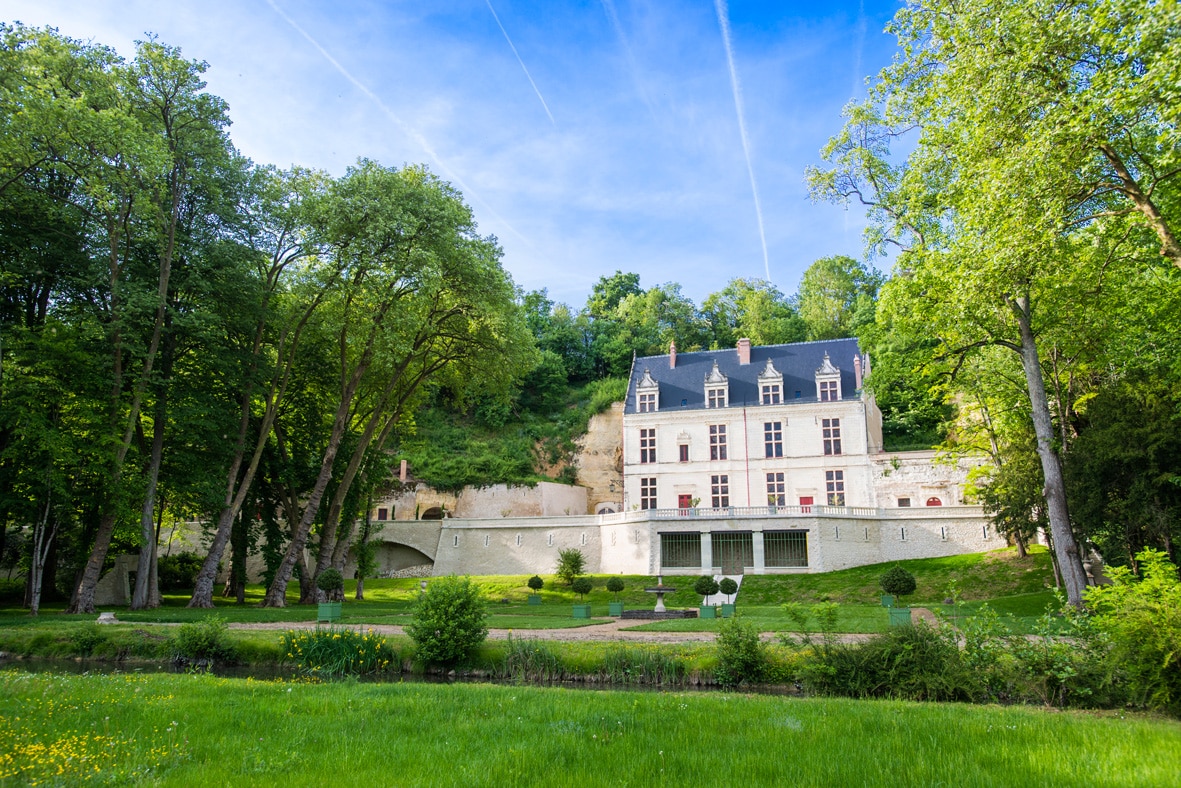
(422, 296)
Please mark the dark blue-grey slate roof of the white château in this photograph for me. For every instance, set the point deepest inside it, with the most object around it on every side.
(684, 387)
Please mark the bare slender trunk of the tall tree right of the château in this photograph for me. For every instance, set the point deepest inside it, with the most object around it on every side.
(1055, 491)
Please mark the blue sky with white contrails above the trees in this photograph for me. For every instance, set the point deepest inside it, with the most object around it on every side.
(588, 136)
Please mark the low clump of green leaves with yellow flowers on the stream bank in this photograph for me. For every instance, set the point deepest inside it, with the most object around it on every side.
(338, 652)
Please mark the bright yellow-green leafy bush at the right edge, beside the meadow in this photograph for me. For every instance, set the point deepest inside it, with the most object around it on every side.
(1141, 618)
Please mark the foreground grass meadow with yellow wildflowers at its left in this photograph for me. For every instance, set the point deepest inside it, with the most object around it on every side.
(186, 731)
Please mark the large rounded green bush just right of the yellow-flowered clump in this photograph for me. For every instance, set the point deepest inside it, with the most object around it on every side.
(449, 621)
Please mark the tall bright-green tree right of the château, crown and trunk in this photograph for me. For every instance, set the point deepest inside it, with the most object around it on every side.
(1046, 154)
